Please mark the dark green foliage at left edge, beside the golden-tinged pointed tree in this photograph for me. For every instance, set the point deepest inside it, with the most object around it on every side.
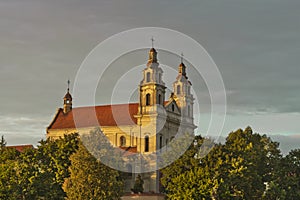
(37, 173)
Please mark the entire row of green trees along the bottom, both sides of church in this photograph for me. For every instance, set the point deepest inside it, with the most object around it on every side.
(247, 166)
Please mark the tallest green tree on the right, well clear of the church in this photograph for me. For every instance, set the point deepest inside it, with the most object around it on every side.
(248, 163)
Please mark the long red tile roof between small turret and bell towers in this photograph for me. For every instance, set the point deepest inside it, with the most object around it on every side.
(106, 115)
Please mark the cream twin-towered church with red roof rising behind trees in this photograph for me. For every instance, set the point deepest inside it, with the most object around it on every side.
(143, 127)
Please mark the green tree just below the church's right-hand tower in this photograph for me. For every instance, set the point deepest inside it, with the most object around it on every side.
(185, 178)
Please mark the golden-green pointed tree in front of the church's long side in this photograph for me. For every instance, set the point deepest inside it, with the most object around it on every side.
(90, 179)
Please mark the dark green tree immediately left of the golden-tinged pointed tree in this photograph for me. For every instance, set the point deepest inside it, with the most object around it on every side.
(52, 162)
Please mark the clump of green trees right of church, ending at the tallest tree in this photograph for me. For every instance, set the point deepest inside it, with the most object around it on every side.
(237, 169)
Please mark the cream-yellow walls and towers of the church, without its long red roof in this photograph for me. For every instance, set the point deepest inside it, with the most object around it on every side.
(157, 120)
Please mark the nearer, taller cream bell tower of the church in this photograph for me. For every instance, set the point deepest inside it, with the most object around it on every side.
(151, 110)
